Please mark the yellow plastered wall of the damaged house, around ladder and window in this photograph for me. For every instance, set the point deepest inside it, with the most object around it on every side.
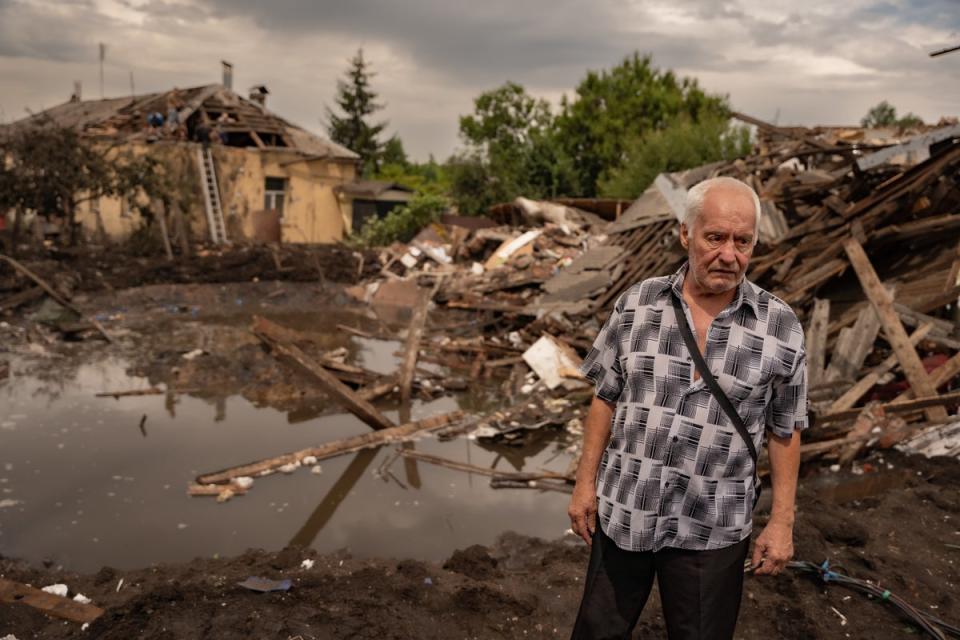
(313, 212)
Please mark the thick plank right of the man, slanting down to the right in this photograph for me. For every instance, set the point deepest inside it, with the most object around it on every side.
(892, 327)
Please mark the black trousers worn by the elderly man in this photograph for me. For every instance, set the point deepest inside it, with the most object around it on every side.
(699, 590)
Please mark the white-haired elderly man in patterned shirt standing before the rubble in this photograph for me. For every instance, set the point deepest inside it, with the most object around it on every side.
(665, 469)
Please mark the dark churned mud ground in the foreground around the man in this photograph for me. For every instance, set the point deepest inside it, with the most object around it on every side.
(901, 531)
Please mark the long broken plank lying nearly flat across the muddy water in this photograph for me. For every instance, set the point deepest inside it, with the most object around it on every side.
(402, 433)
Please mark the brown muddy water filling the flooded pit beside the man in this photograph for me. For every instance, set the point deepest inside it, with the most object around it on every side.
(87, 482)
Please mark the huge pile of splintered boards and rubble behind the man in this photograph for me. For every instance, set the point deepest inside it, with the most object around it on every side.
(858, 235)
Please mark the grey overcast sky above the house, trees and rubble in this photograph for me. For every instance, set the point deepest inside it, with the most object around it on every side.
(817, 61)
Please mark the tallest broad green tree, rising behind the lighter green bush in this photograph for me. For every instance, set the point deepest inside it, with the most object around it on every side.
(614, 107)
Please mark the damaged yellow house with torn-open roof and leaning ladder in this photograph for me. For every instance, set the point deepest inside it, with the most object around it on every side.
(245, 173)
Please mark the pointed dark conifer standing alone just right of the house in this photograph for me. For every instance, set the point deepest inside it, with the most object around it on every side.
(357, 102)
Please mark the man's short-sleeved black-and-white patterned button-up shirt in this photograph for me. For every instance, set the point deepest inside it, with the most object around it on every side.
(676, 473)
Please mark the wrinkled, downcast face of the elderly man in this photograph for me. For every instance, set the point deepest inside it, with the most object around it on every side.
(720, 241)
